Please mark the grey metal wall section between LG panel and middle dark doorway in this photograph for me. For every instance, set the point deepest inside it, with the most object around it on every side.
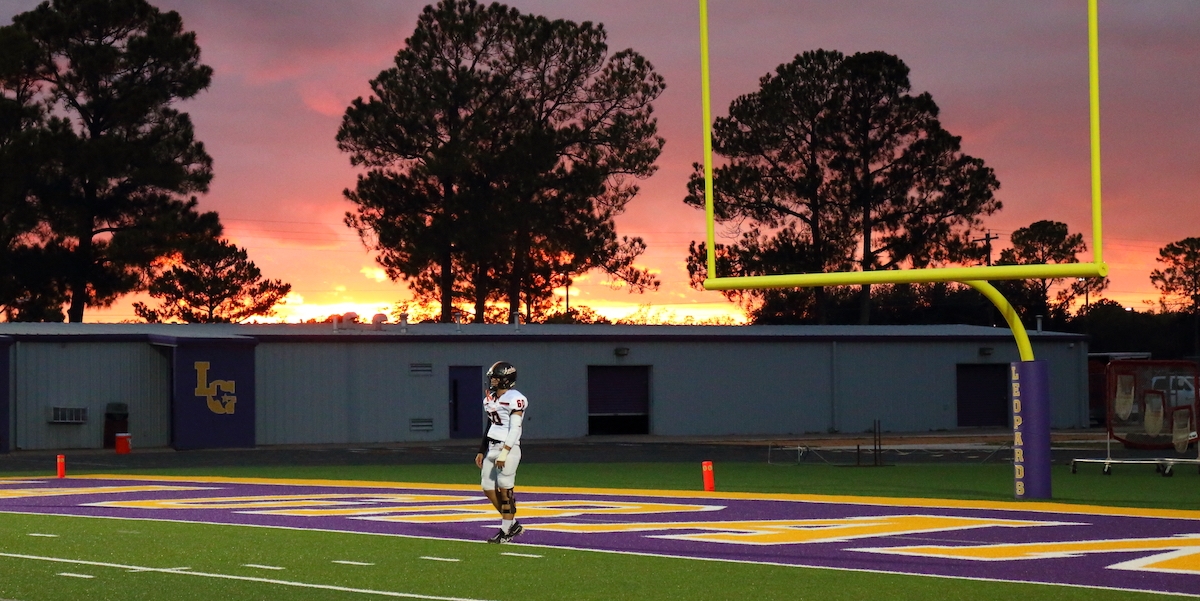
(316, 393)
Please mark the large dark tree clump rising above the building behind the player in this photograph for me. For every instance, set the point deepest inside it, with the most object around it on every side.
(500, 149)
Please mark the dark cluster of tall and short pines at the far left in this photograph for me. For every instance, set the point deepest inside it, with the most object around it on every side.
(99, 172)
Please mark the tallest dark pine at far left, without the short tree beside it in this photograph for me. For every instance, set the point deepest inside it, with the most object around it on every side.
(116, 161)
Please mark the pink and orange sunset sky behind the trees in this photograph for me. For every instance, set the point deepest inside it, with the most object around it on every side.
(1010, 76)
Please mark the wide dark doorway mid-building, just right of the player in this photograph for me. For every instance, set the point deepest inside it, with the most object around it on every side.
(619, 400)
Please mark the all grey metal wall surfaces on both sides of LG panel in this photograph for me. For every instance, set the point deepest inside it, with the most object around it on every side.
(392, 390)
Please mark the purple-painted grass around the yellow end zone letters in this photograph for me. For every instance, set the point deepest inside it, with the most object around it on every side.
(1091, 570)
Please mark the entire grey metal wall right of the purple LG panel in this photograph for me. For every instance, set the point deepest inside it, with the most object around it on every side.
(316, 393)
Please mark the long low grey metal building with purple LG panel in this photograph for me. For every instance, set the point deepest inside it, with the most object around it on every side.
(191, 387)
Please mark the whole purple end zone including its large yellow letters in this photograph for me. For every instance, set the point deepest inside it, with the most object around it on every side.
(1078, 549)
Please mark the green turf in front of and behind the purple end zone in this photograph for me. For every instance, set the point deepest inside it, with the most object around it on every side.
(116, 549)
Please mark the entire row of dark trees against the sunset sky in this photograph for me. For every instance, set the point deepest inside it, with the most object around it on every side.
(496, 153)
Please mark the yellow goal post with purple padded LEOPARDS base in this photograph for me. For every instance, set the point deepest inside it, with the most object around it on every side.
(975, 277)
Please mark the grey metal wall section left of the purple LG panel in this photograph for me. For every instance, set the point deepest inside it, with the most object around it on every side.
(89, 375)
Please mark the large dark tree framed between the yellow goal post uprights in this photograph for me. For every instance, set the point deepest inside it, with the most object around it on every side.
(857, 170)
